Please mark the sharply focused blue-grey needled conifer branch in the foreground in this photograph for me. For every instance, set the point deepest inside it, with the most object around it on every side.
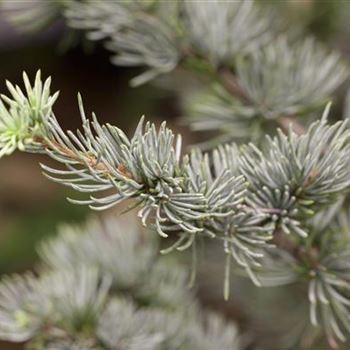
(244, 199)
